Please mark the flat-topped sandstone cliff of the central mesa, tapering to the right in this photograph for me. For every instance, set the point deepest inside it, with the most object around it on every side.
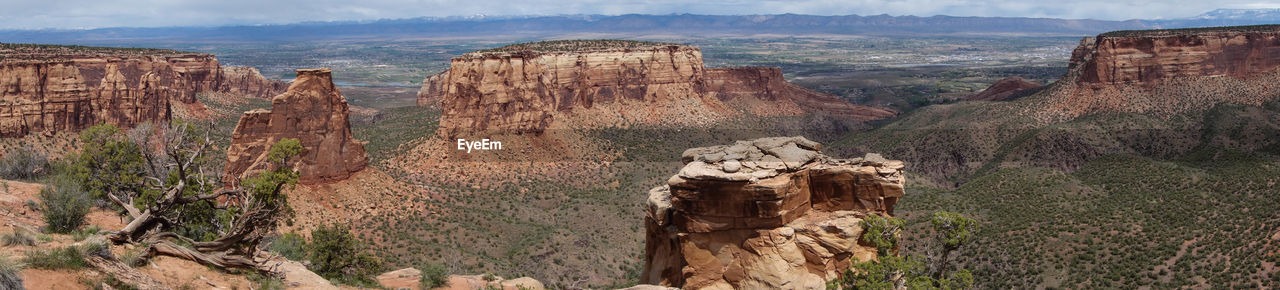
(523, 89)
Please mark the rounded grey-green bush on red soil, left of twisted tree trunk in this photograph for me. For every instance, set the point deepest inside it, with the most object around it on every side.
(65, 205)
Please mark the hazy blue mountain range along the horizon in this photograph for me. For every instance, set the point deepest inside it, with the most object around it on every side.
(639, 24)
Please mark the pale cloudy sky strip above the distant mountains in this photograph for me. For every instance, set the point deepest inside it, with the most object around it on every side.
(26, 15)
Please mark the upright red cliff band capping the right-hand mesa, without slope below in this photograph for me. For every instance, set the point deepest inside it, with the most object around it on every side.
(1146, 57)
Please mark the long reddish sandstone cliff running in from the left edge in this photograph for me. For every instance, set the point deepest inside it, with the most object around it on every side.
(54, 89)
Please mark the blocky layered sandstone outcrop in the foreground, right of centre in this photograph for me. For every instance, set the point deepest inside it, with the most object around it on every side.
(765, 214)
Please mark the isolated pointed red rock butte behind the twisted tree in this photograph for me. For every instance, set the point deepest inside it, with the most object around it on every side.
(313, 112)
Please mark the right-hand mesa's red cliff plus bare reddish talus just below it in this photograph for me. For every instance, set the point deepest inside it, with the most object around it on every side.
(1168, 72)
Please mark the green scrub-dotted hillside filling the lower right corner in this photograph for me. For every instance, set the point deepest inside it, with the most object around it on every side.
(1132, 222)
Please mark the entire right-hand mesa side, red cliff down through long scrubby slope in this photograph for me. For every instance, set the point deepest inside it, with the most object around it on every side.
(1155, 99)
